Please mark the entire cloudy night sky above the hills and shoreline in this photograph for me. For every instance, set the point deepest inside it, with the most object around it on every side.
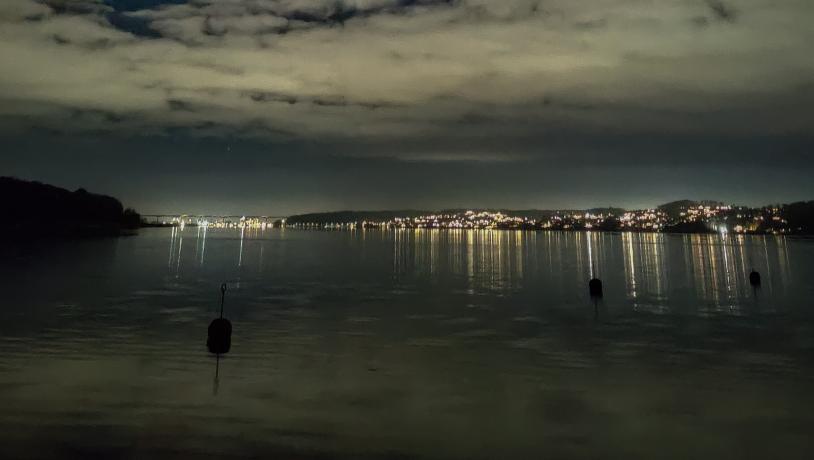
(276, 107)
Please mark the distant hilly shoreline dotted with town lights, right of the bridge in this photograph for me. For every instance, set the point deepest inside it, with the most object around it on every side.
(680, 217)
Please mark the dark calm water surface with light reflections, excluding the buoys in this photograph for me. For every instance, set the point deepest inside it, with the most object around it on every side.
(413, 344)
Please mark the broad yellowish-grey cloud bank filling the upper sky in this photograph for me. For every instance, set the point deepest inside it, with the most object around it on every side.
(399, 72)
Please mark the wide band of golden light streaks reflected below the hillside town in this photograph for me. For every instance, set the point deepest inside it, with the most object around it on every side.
(662, 273)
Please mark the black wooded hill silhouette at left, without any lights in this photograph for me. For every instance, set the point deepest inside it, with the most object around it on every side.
(41, 209)
